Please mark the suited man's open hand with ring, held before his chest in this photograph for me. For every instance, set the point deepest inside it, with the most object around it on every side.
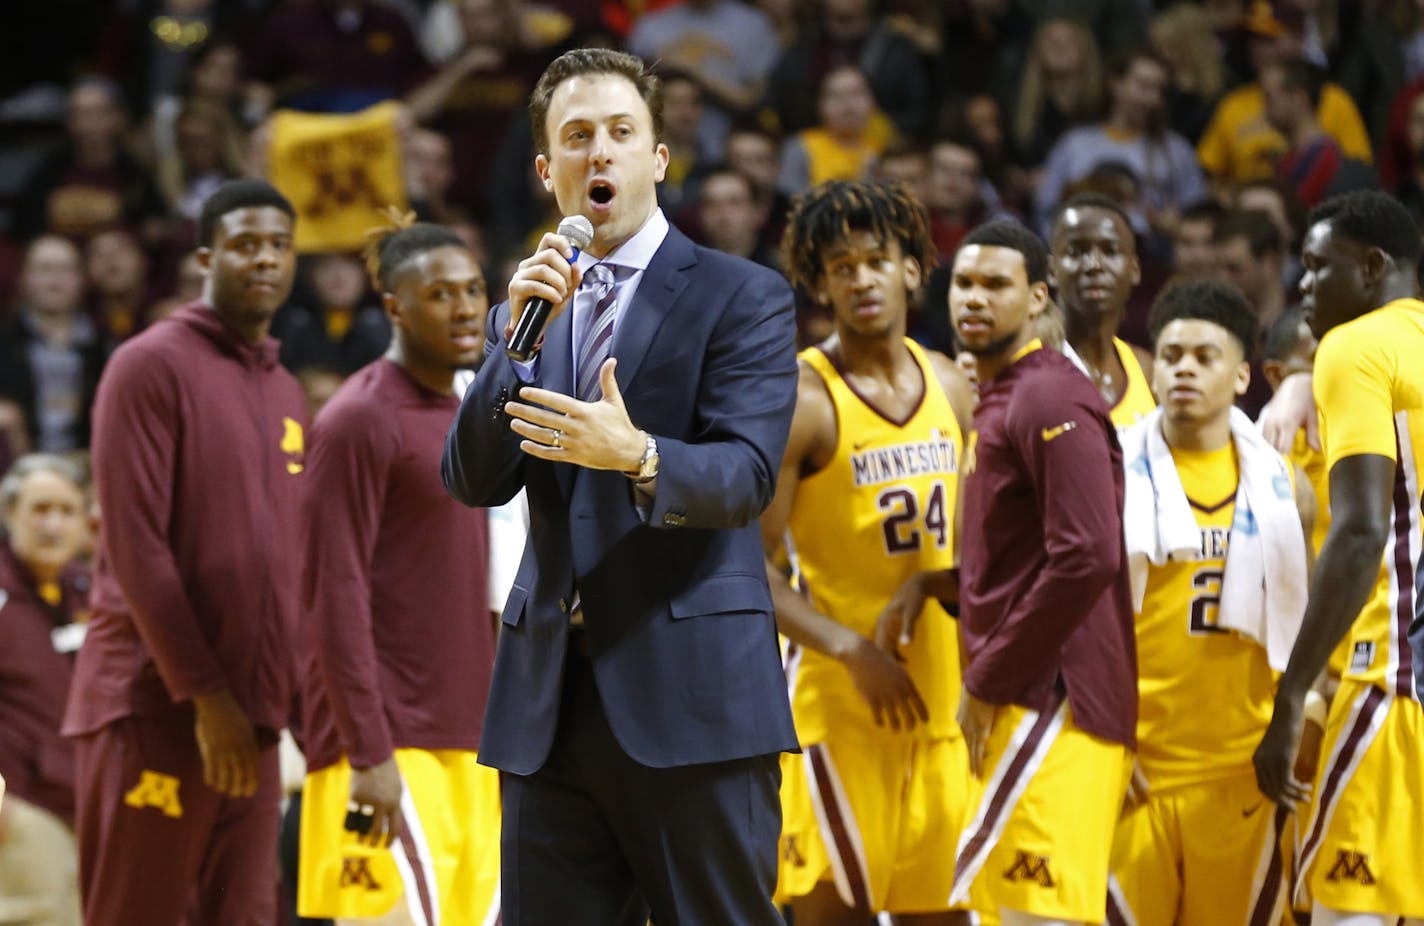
(597, 435)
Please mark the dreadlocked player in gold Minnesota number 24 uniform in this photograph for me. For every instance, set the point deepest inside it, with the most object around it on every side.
(867, 499)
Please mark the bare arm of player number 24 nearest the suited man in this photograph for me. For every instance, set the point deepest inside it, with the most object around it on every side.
(878, 676)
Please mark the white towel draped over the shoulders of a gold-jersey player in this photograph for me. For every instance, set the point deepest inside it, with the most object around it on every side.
(1264, 591)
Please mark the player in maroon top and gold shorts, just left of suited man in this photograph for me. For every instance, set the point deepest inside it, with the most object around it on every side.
(399, 824)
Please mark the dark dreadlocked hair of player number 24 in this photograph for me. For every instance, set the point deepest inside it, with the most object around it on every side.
(827, 214)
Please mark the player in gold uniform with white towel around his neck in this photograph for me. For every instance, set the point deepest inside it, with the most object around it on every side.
(1200, 844)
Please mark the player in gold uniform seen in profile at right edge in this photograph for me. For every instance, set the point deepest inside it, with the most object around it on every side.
(1361, 848)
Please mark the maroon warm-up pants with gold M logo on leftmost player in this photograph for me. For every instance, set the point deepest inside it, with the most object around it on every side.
(157, 846)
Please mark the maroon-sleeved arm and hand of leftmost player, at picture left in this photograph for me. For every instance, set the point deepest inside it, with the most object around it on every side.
(137, 422)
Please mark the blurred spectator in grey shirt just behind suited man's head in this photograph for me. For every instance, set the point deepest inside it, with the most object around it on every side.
(728, 46)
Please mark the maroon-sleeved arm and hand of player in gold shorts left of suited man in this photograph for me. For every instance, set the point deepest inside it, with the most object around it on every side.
(348, 471)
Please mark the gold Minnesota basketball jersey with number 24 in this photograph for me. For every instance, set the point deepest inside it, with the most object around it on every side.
(879, 512)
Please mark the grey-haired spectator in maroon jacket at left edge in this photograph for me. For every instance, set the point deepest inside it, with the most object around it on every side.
(46, 514)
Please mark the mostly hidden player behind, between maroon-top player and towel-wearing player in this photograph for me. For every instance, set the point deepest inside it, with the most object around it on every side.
(1094, 269)
